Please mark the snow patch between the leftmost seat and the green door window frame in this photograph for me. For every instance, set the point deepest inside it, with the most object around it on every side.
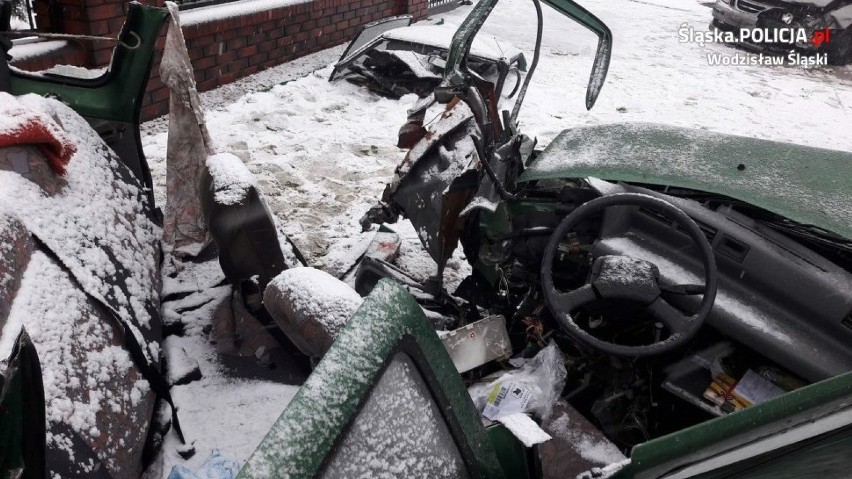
(217, 411)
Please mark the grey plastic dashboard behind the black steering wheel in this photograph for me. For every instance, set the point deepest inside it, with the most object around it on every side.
(775, 295)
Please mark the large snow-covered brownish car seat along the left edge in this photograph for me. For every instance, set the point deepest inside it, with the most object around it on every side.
(99, 228)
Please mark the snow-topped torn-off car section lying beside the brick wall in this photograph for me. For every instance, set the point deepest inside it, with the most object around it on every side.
(394, 58)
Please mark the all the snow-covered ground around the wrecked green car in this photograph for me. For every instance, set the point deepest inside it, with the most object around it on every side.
(322, 152)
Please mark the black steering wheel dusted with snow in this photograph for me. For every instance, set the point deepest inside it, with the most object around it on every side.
(628, 278)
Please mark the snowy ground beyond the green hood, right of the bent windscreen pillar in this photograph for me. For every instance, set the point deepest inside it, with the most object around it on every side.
(655, 78)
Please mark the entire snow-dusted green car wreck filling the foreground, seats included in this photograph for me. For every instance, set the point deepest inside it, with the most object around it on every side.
(645, 301)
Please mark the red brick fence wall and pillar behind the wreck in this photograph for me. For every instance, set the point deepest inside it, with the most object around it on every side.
(224, 49)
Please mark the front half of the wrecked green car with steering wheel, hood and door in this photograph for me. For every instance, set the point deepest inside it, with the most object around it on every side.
(695, 284)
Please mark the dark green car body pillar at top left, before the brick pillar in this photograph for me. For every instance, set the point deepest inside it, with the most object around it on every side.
(118, 94)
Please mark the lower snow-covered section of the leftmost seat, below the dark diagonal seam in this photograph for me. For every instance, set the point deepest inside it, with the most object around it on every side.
(109, 394)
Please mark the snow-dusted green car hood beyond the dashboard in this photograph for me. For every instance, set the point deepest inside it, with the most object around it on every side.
(808, 185)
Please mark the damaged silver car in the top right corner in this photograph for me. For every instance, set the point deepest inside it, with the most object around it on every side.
(835, 16)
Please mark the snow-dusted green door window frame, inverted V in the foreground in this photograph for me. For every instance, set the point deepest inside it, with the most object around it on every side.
(315, 420)
